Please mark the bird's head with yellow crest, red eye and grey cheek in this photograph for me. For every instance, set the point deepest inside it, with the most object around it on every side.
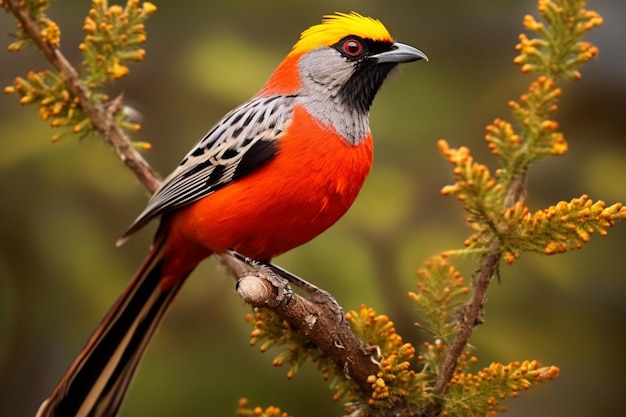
(344, 59)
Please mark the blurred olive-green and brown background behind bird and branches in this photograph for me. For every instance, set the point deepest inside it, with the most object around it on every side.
(64, 205)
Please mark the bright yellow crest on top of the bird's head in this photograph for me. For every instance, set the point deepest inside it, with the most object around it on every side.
(337, 26)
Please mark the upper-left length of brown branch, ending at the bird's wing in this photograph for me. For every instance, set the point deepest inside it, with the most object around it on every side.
(102, 119)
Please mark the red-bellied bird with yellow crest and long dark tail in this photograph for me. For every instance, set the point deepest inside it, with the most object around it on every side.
(271, 175)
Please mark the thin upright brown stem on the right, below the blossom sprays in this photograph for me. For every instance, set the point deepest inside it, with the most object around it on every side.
(472, 314)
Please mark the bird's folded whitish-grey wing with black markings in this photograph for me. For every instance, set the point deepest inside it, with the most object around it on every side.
(245, 139)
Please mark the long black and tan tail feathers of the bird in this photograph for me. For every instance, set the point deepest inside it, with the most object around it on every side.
(97, 381)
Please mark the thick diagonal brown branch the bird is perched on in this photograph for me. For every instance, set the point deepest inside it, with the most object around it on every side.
(310, 319)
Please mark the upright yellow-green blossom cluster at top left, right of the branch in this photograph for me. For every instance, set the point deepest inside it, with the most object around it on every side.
(114, 36)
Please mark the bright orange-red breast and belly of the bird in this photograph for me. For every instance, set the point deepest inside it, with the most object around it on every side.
(300, 193)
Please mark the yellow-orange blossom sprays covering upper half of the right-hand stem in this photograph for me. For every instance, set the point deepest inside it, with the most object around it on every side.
(557, 53)
